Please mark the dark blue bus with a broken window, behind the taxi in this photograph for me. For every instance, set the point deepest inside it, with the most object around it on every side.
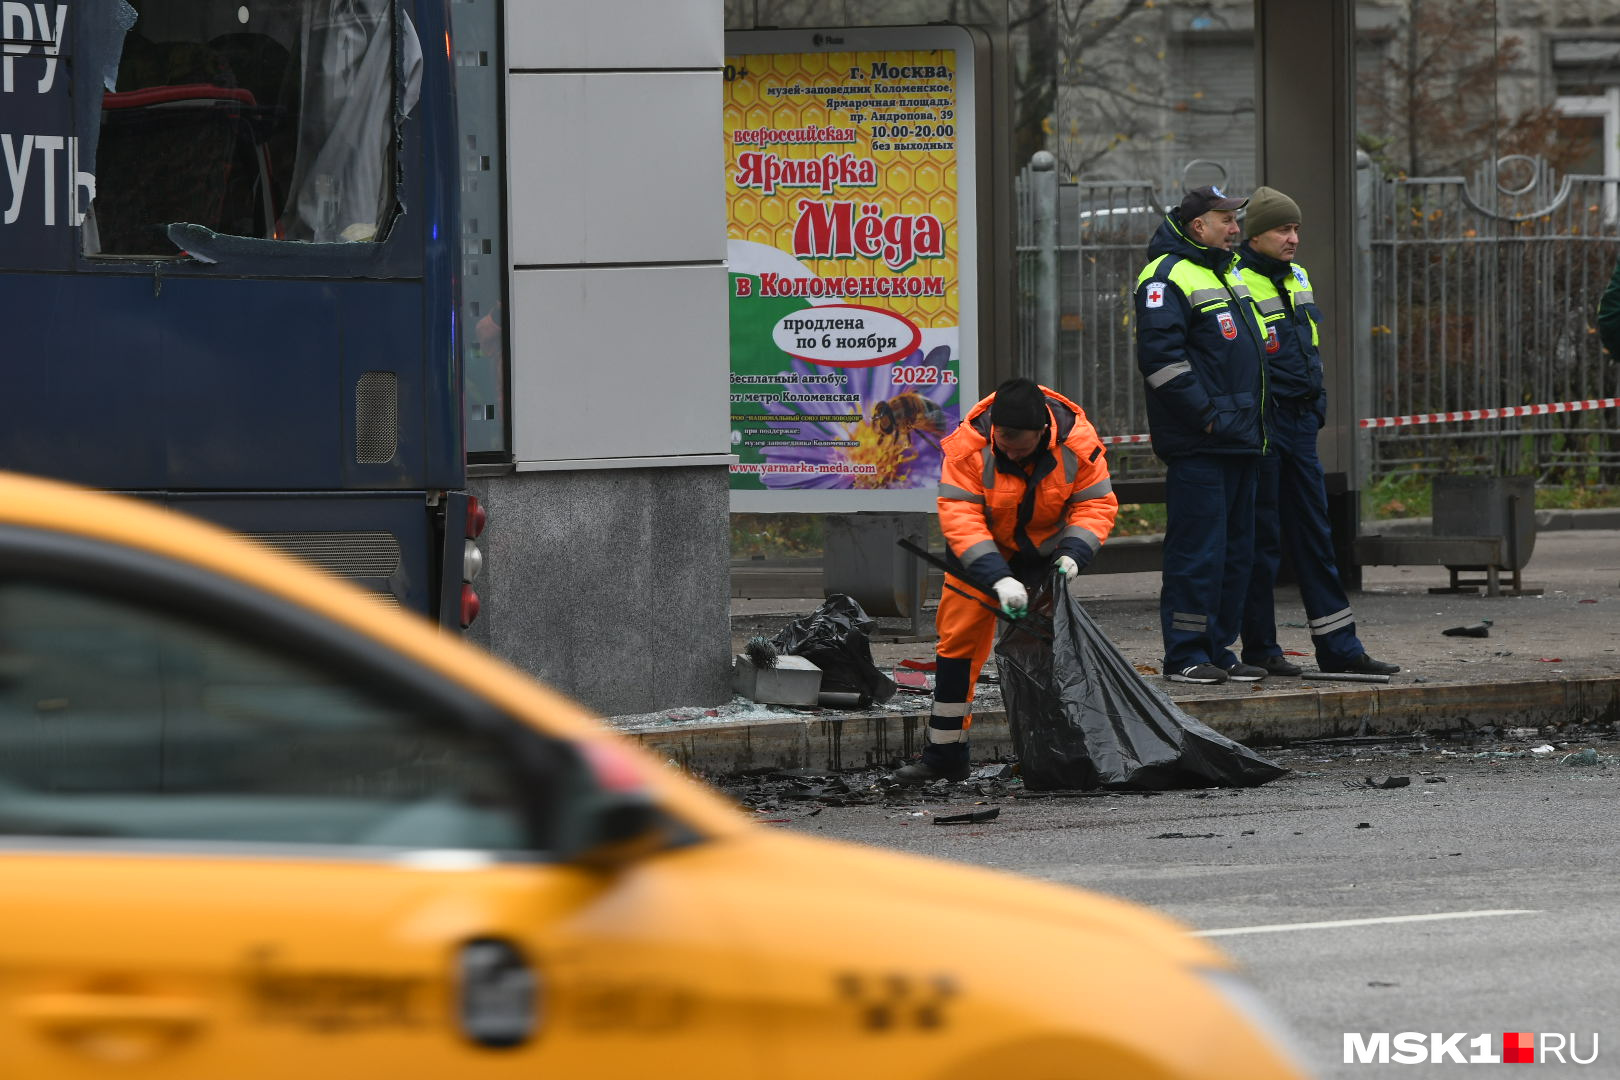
(231, 257)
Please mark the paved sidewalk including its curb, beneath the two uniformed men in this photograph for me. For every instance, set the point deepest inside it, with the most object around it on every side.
(1550, 660)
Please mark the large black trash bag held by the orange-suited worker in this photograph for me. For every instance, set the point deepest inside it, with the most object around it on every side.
(1083, 718)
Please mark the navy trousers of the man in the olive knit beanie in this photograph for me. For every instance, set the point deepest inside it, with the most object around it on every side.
(1292, 516)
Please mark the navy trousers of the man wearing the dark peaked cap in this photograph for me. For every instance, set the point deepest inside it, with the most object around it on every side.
(1209, 556)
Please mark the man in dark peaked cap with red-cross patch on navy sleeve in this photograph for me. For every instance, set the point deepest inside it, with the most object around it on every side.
(1201, 351)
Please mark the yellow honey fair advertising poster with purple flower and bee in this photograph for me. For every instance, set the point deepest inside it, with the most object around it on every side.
(851, 265)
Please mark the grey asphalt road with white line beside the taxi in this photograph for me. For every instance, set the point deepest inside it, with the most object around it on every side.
(1525, 835)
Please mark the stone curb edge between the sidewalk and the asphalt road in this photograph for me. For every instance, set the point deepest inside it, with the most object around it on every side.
(872, 739)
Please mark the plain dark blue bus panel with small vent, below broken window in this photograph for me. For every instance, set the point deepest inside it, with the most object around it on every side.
(190, 383)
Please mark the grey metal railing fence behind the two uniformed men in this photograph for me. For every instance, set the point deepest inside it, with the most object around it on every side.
(1475, 294)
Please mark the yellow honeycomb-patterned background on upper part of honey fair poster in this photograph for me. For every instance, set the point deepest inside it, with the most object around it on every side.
(910, 182)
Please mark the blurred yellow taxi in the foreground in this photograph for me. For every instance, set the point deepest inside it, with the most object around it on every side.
(254, 825)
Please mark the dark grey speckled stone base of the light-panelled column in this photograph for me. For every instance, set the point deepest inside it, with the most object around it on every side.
(612, 585)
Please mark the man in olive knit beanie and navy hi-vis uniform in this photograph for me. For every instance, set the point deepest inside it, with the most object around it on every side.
(1292, 474)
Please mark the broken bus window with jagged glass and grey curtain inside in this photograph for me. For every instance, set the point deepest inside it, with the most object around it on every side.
(271, 121)
